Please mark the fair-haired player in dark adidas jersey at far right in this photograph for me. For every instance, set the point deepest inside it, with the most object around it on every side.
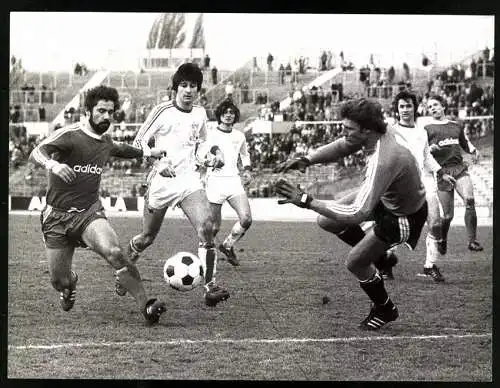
(446, 141)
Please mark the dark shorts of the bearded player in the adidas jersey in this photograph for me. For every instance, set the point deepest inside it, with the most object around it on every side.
(63, 228)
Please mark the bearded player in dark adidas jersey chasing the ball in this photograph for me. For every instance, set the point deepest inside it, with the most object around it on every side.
(75, 157)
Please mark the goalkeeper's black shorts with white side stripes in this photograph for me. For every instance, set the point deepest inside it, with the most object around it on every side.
(395, 229)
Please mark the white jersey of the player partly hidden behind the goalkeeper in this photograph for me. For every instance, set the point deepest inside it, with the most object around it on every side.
(415, 139)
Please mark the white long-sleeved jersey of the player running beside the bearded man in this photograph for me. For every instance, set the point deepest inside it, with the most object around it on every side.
(177, 131)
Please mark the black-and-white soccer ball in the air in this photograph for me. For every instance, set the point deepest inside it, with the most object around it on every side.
(183, 271)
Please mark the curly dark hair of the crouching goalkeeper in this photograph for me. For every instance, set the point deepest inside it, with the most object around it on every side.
(367, 113)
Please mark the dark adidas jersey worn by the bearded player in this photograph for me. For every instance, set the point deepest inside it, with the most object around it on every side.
(86, 153)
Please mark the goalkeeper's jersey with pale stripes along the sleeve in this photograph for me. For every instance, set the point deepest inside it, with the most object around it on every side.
(392, 177)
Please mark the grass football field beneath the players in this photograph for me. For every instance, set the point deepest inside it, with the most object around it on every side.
(293, 313)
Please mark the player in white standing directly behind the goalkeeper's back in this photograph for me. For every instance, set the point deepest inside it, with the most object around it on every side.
(413, 137)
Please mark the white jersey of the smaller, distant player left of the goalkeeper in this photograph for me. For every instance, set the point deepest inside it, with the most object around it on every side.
(233, 146)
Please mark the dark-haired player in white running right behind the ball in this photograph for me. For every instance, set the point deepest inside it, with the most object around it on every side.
(179, 126)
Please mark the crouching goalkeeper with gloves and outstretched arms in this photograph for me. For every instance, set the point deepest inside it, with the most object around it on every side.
(392, 194)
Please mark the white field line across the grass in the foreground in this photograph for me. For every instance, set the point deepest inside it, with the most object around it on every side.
(250, 341)
